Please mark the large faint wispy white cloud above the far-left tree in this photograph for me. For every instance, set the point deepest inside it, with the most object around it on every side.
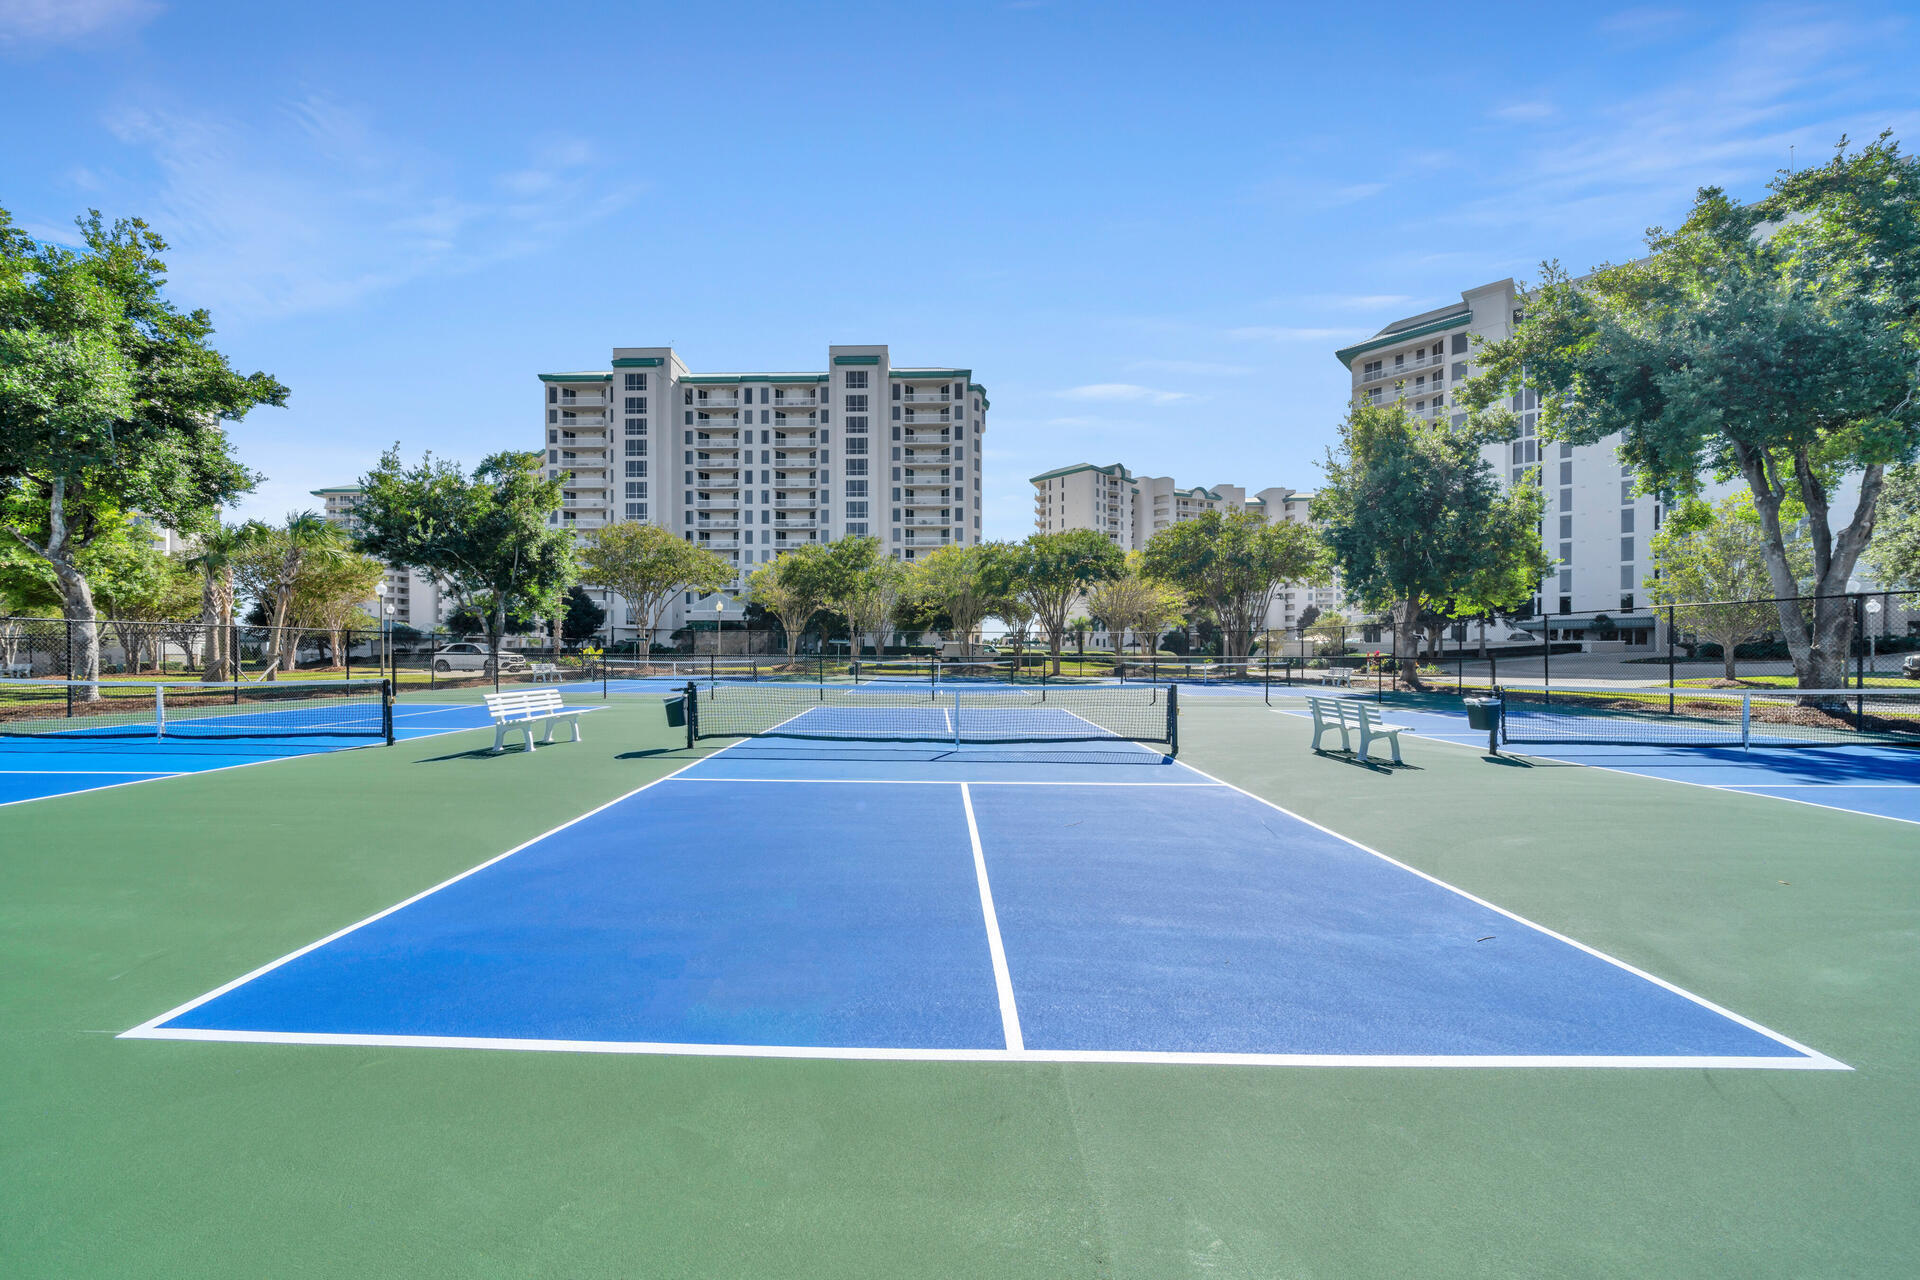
(316, 206)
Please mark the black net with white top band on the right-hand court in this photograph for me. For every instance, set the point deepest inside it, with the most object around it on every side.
(1712, 717)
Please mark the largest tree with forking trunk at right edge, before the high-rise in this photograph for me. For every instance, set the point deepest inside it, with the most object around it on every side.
(1777, 343)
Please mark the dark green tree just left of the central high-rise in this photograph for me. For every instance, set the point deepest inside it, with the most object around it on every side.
(485, 536)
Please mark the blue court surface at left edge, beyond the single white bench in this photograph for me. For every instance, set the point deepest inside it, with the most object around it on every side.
(37, 769)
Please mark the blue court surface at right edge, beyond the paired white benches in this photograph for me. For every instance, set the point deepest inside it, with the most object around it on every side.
(1883, 782)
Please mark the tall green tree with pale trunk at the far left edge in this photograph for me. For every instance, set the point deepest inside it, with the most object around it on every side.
(112, 402)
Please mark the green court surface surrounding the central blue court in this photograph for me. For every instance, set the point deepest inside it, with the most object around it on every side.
(174, 1158)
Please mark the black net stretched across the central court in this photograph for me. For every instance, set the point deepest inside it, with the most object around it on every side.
(913, 713)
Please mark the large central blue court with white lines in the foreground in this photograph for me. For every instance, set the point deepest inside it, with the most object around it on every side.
(1088, 903)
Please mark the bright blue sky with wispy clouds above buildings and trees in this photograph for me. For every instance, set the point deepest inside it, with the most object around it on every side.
(1143, 225)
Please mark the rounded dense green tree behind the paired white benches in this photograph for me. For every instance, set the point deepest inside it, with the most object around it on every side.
(1416, 521)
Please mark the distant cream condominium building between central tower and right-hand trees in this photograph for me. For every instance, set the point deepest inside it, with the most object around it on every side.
(1130, 510)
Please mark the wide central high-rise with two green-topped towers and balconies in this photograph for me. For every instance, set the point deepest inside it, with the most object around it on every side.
(750, 465)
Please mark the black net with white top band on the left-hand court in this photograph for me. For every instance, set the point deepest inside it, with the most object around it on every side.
(118, 709)
